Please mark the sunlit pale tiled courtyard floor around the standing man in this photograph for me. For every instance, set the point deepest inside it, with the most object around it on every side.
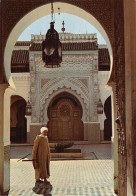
(68, 177)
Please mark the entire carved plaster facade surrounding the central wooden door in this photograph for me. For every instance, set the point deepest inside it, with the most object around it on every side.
(78, 73)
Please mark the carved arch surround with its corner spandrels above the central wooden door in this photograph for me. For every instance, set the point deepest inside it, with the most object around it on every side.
(72, 85)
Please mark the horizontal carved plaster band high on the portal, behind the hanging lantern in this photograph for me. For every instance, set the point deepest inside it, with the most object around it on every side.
(71, 63)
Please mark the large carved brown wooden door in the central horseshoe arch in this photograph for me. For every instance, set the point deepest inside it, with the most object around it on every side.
(65, 113)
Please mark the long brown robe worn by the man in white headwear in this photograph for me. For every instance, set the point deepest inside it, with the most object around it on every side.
(41, 156)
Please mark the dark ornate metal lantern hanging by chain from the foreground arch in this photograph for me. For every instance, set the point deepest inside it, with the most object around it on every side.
(52, 47)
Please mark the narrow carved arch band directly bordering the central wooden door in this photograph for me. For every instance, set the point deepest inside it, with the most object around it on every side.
(45, 103)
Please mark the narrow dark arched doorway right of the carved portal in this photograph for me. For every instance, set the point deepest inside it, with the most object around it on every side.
(108, 120)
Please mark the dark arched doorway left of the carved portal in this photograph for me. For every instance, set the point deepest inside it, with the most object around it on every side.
(18, 127)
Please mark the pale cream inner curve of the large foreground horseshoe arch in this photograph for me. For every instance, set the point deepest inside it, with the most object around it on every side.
(40, 12)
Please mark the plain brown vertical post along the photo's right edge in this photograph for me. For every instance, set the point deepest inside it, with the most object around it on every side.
(130, 86)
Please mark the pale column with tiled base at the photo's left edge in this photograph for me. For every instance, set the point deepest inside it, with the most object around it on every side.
(4, 139)
